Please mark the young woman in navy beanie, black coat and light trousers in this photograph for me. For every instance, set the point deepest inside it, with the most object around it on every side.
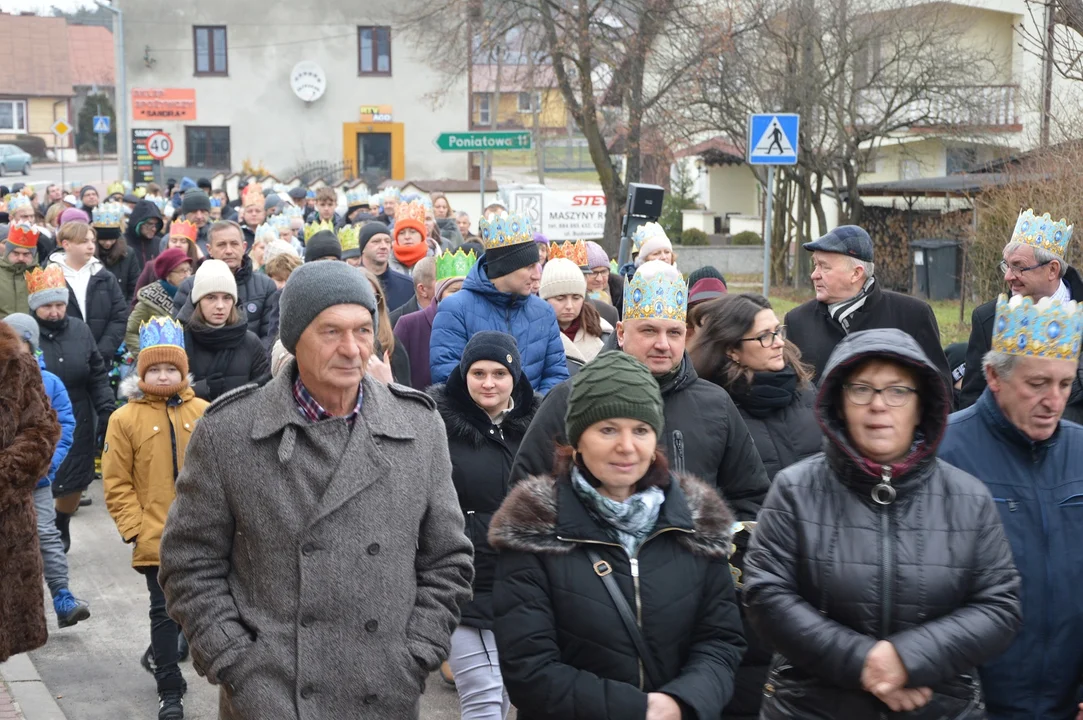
(487, 405)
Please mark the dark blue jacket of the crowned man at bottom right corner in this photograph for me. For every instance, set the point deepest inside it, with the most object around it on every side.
(1038, 488)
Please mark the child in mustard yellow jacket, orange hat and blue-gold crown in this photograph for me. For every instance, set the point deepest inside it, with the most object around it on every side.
(145, 453)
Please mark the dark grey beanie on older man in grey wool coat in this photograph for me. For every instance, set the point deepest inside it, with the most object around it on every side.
(315, 287)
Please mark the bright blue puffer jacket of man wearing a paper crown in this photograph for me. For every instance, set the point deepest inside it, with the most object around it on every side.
(479, 307)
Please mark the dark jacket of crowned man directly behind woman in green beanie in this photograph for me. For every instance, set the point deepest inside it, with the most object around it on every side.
(704, 437)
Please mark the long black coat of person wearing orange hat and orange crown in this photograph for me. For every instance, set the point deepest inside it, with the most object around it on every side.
(70, 354)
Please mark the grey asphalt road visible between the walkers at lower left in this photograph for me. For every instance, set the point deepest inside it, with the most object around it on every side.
(94, 669)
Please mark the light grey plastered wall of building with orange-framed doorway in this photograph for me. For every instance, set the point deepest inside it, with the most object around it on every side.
(270, 126)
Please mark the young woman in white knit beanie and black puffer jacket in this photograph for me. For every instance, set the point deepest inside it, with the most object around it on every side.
(224, 354)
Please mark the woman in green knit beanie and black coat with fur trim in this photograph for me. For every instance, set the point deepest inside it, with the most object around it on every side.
(615, 514)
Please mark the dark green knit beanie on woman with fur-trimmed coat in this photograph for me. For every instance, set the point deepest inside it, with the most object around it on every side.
(614, 386)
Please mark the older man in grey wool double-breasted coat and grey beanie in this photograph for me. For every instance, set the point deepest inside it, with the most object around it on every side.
(316, 556)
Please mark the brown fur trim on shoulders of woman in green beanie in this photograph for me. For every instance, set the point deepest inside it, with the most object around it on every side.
(531, 516)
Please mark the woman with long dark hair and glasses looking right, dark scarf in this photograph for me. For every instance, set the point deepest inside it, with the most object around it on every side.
(740, 346)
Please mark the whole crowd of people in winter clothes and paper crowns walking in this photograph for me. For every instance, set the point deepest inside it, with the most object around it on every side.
(576, 489)
